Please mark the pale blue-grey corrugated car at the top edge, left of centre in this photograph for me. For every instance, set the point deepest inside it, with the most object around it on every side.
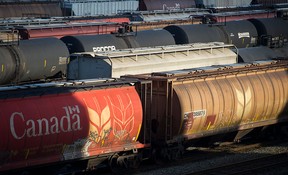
(103, 8)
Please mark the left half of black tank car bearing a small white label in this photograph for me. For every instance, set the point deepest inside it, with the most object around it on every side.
(185, 34)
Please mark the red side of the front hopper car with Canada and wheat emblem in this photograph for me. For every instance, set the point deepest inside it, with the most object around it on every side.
(44, 126)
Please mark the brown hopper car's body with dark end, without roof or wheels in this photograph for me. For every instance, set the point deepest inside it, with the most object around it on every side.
(197, 107)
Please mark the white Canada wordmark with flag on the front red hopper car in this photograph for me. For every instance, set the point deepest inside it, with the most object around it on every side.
(45, 126)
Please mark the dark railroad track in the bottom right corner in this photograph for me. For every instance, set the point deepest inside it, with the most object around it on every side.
(252, 166)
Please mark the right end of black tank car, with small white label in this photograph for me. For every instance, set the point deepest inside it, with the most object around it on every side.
(241, 33)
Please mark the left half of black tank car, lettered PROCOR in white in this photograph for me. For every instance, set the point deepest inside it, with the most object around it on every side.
(92, 43)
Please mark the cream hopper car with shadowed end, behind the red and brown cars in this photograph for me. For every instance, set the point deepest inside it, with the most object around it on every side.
(147, 60)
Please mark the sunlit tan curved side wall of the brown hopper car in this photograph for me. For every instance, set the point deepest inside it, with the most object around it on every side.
(236, 99)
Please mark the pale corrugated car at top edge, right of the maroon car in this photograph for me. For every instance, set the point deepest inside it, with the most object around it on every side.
(222, 3)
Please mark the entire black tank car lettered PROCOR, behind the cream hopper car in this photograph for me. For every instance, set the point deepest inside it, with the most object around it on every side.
(107, 42)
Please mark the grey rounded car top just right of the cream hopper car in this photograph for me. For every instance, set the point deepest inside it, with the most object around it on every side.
(256, 54)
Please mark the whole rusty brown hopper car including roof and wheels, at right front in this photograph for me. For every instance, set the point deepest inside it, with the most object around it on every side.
(196, 103)
